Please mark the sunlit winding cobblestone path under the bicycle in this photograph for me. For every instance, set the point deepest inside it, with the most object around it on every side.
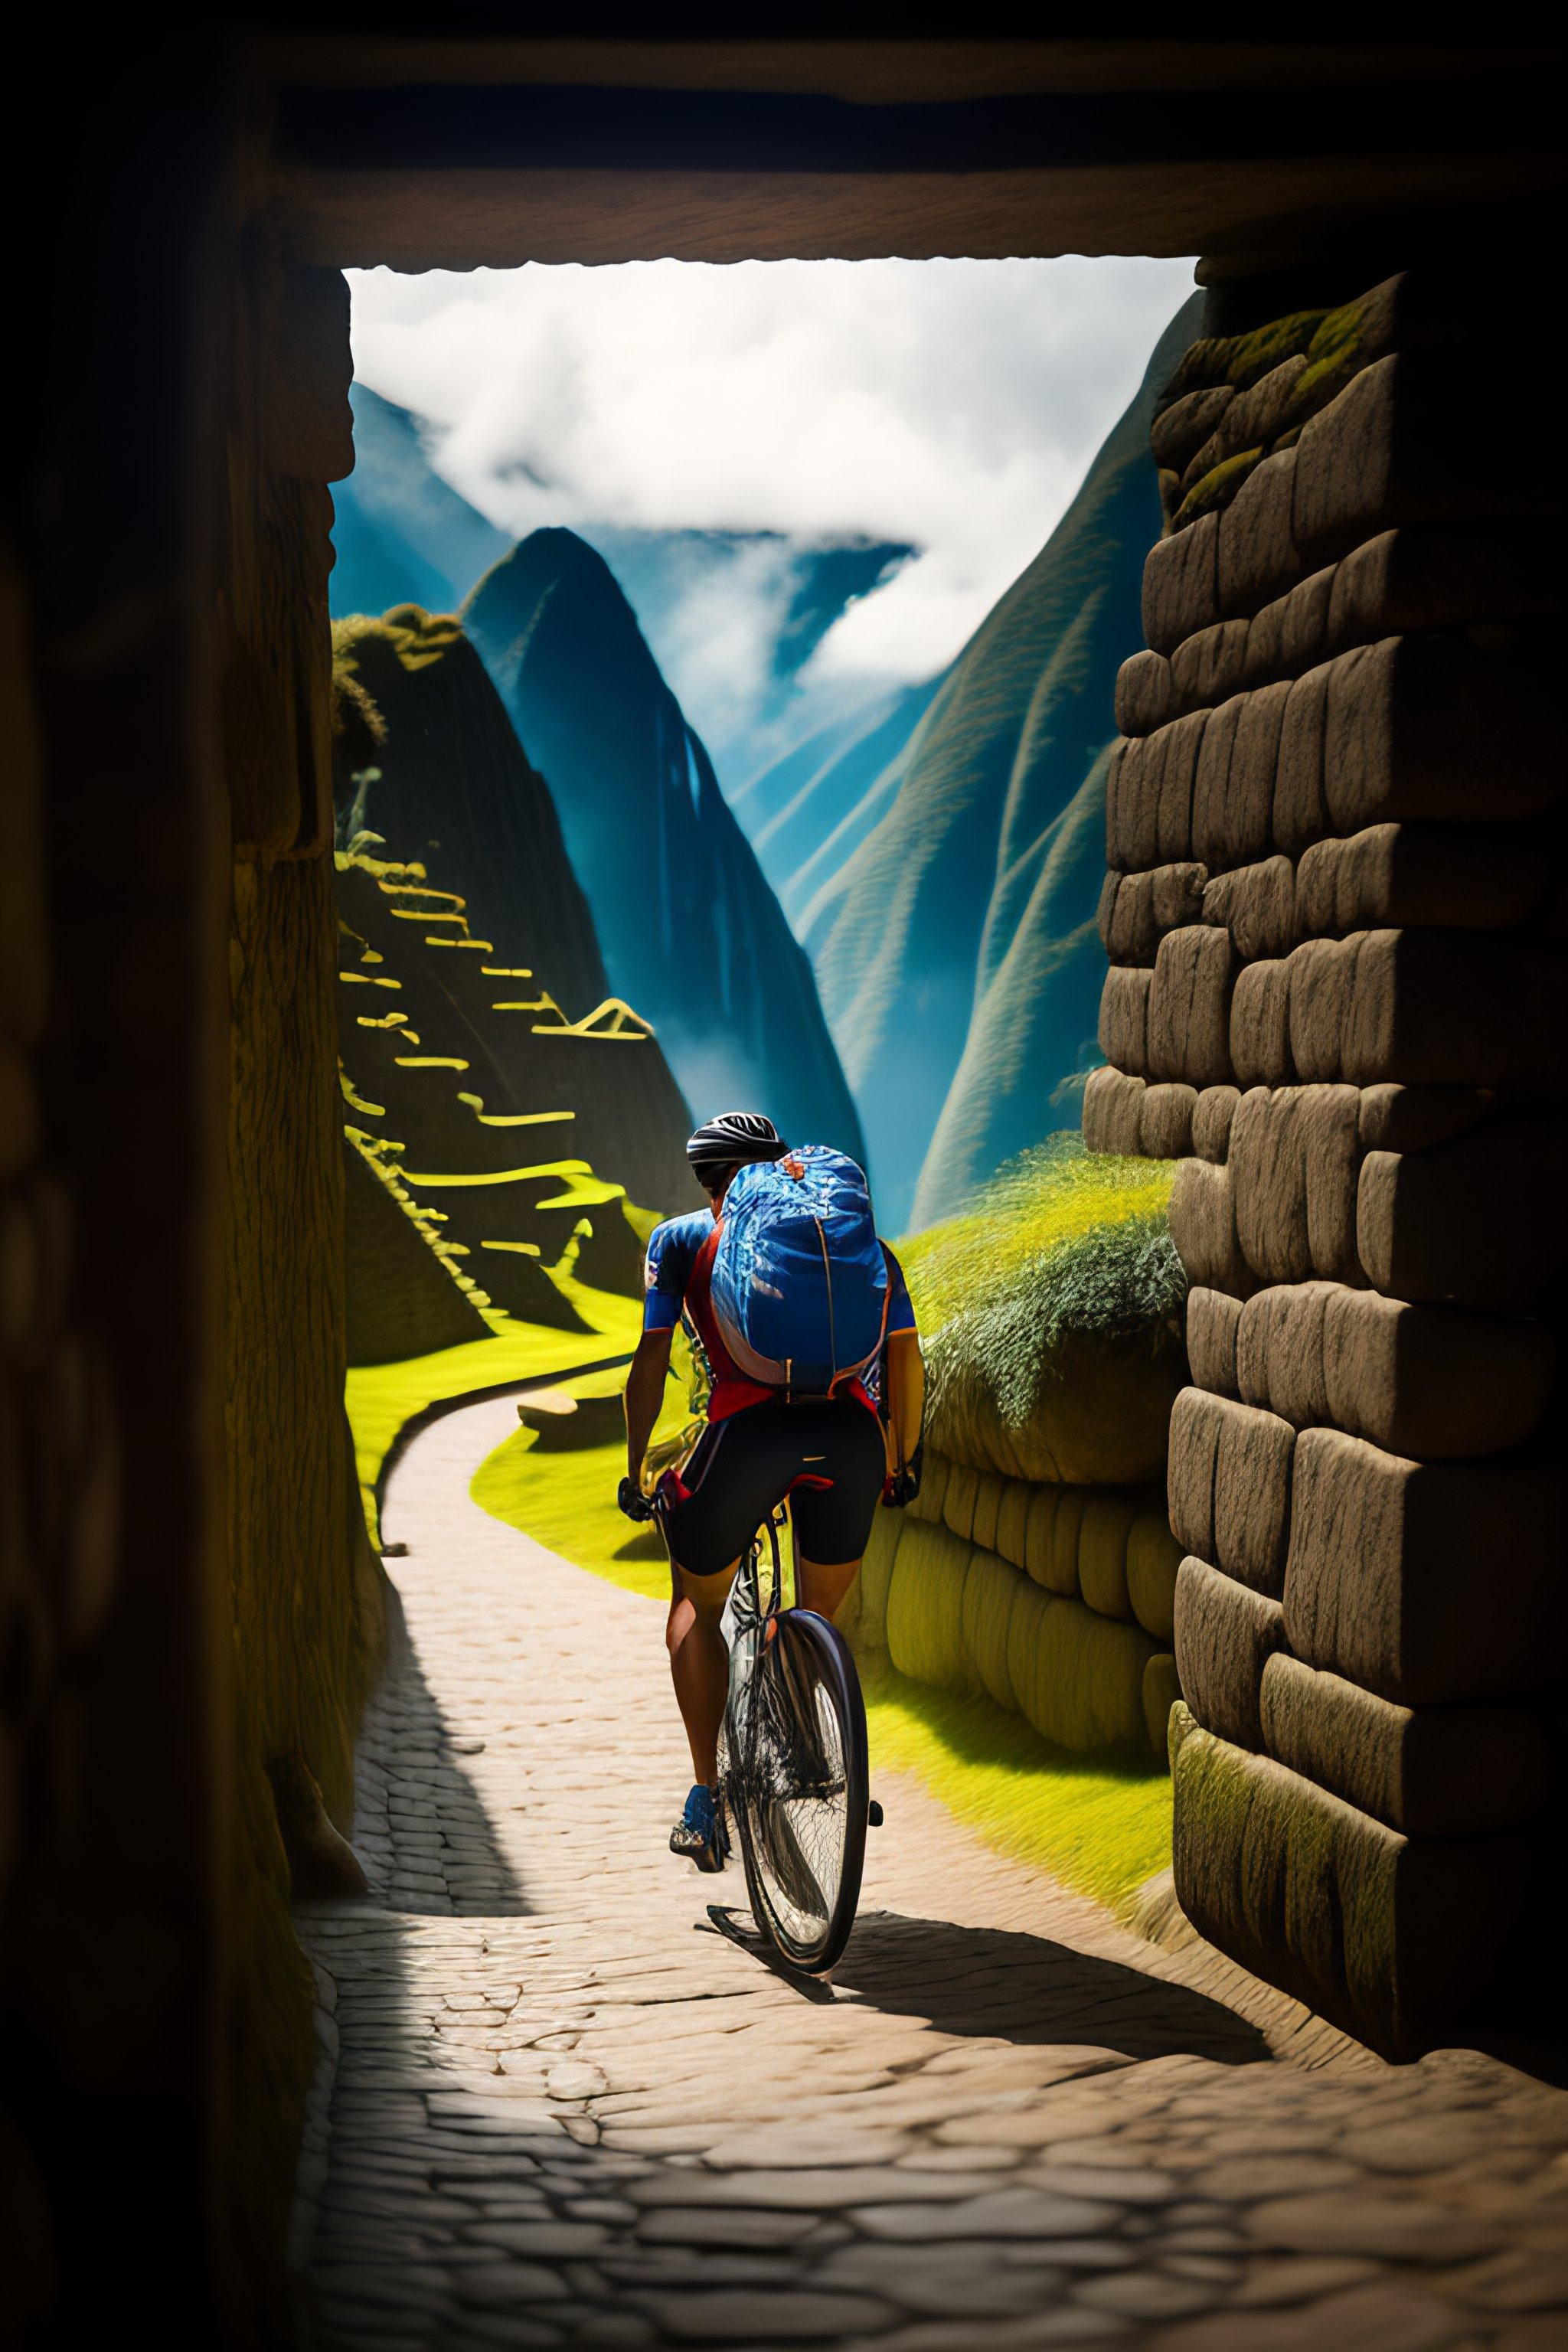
(556, 2116)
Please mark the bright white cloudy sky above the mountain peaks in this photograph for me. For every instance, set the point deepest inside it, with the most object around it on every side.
(951, 406)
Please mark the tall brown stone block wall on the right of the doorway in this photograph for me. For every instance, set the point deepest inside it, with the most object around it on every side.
(1336, 982)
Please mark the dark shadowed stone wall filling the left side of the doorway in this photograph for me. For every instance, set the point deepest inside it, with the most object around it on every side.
(189, 1608)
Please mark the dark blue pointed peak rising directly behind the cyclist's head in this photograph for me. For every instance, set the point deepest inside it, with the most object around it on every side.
(690, 930)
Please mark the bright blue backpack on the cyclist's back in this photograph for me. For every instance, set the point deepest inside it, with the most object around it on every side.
(800, 1283)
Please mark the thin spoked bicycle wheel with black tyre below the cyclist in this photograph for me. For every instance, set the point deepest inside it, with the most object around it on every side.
(800, 1789)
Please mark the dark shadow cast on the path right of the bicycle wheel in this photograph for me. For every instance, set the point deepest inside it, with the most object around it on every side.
(998, 1982)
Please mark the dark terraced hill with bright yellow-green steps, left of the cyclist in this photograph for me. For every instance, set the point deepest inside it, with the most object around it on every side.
(509, 1123)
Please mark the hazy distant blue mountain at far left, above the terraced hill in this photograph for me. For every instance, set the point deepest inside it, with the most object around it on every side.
(403, 535)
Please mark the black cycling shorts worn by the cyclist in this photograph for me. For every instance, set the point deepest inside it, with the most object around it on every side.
(826, 1455)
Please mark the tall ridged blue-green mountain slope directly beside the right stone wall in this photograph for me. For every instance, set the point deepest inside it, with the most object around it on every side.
(956, 947)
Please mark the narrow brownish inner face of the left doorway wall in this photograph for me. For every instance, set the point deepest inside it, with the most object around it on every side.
(309, 1596)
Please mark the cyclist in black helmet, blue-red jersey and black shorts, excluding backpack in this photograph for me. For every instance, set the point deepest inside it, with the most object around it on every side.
(838, 1457)
